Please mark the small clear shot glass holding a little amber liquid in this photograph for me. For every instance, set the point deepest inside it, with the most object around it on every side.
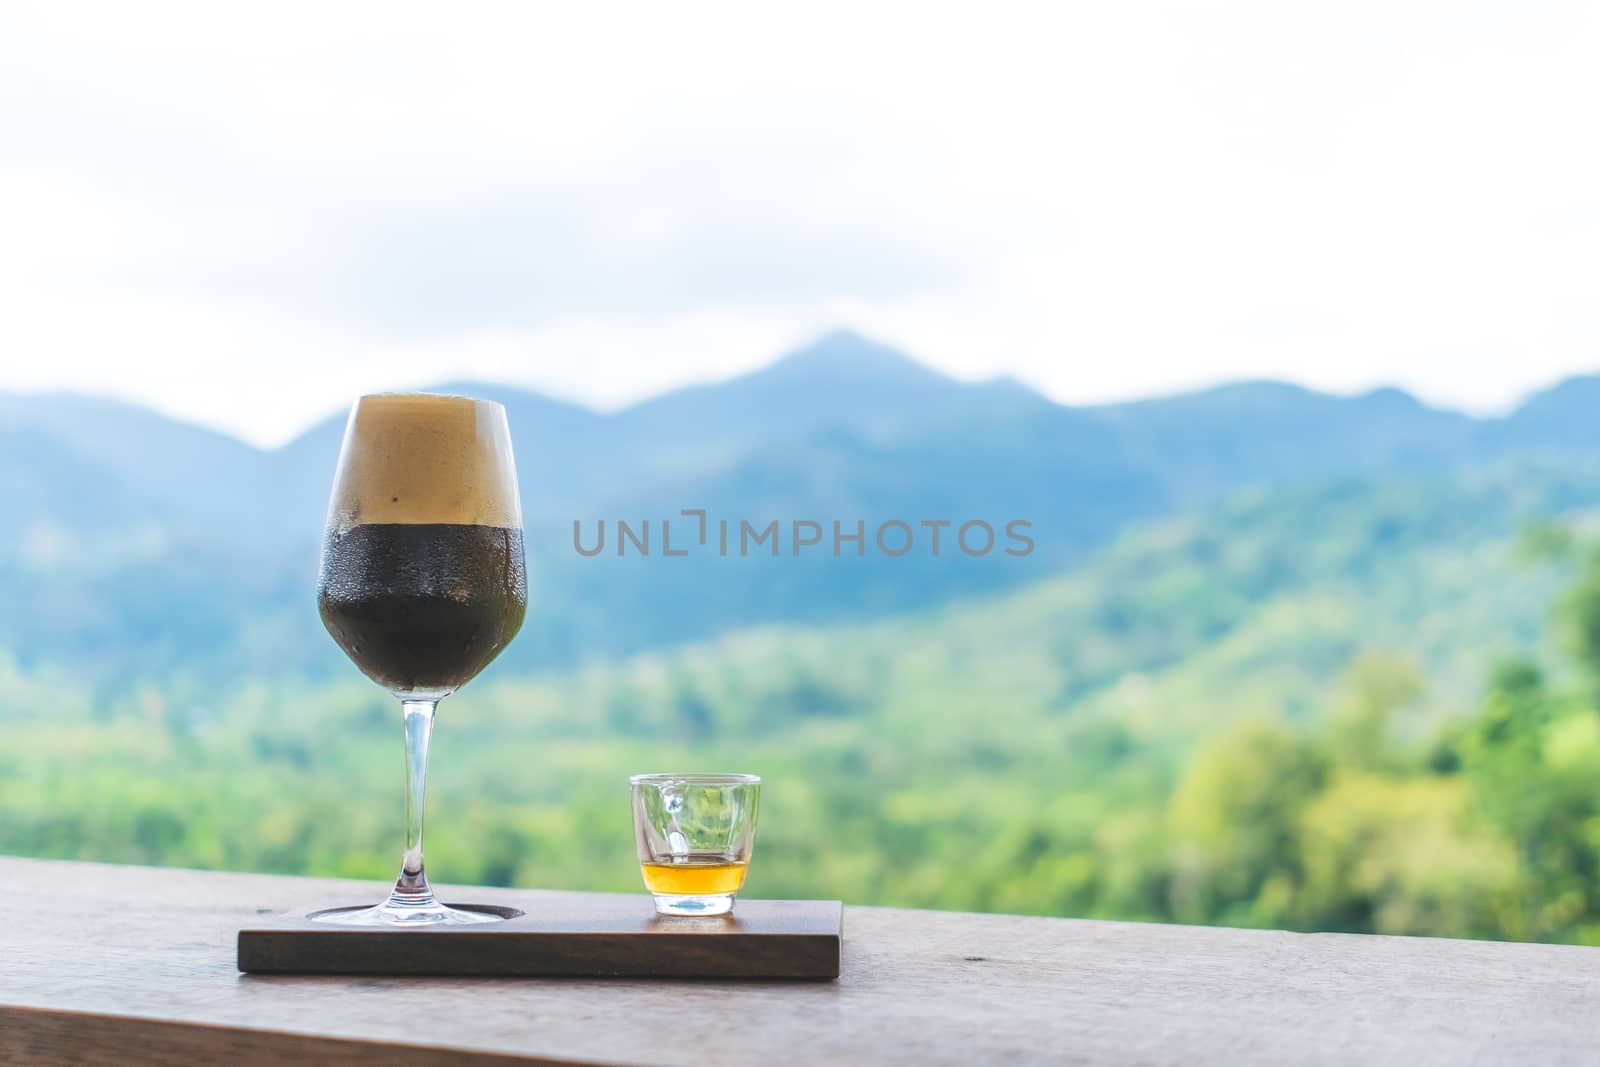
(695, 836)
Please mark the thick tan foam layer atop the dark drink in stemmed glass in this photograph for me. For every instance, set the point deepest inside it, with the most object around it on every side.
(426, 458)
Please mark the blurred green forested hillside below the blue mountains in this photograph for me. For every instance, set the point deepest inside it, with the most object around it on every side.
(1359, 708)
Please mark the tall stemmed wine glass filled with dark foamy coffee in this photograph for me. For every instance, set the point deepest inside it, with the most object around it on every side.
(423, 583)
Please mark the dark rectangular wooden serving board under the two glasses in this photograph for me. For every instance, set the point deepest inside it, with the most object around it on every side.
(588, 937)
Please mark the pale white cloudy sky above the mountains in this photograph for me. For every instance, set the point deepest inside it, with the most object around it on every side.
(247, 215)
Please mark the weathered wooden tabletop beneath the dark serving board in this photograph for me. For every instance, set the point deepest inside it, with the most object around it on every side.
(135, 965)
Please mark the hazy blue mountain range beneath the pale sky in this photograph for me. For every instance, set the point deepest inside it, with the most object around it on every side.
(140, 545)
